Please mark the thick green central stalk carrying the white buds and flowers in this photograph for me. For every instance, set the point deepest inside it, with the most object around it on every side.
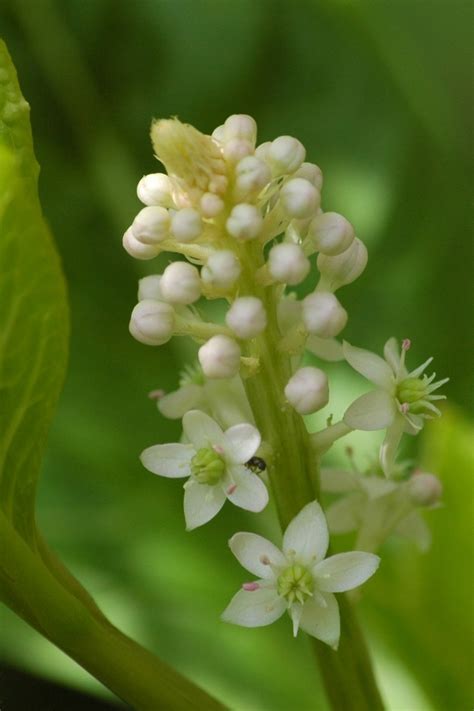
(294, 479)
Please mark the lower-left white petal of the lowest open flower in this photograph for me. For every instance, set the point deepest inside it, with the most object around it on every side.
(255, 608)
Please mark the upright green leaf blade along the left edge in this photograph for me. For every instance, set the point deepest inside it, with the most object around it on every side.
(33, 312)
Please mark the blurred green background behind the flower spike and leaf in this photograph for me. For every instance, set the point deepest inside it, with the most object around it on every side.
(379, 93)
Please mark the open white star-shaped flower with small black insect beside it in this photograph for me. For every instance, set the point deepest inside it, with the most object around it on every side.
(214, 461)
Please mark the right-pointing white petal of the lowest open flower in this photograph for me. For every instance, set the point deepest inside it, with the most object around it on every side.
(345, 571)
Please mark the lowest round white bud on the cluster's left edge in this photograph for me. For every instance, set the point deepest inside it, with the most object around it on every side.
(152, 322)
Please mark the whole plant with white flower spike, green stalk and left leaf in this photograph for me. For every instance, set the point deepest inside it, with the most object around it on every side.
(248, 222)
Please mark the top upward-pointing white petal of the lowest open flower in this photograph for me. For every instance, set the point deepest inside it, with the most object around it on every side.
(307, 535)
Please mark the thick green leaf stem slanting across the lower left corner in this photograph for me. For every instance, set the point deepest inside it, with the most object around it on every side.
(129, 670)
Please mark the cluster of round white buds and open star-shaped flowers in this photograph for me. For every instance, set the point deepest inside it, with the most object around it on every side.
(247, 224)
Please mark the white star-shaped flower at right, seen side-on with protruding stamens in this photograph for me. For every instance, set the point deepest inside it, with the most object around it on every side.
(401, 402)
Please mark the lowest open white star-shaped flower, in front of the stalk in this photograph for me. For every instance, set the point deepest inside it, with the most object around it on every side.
(297, 579)
